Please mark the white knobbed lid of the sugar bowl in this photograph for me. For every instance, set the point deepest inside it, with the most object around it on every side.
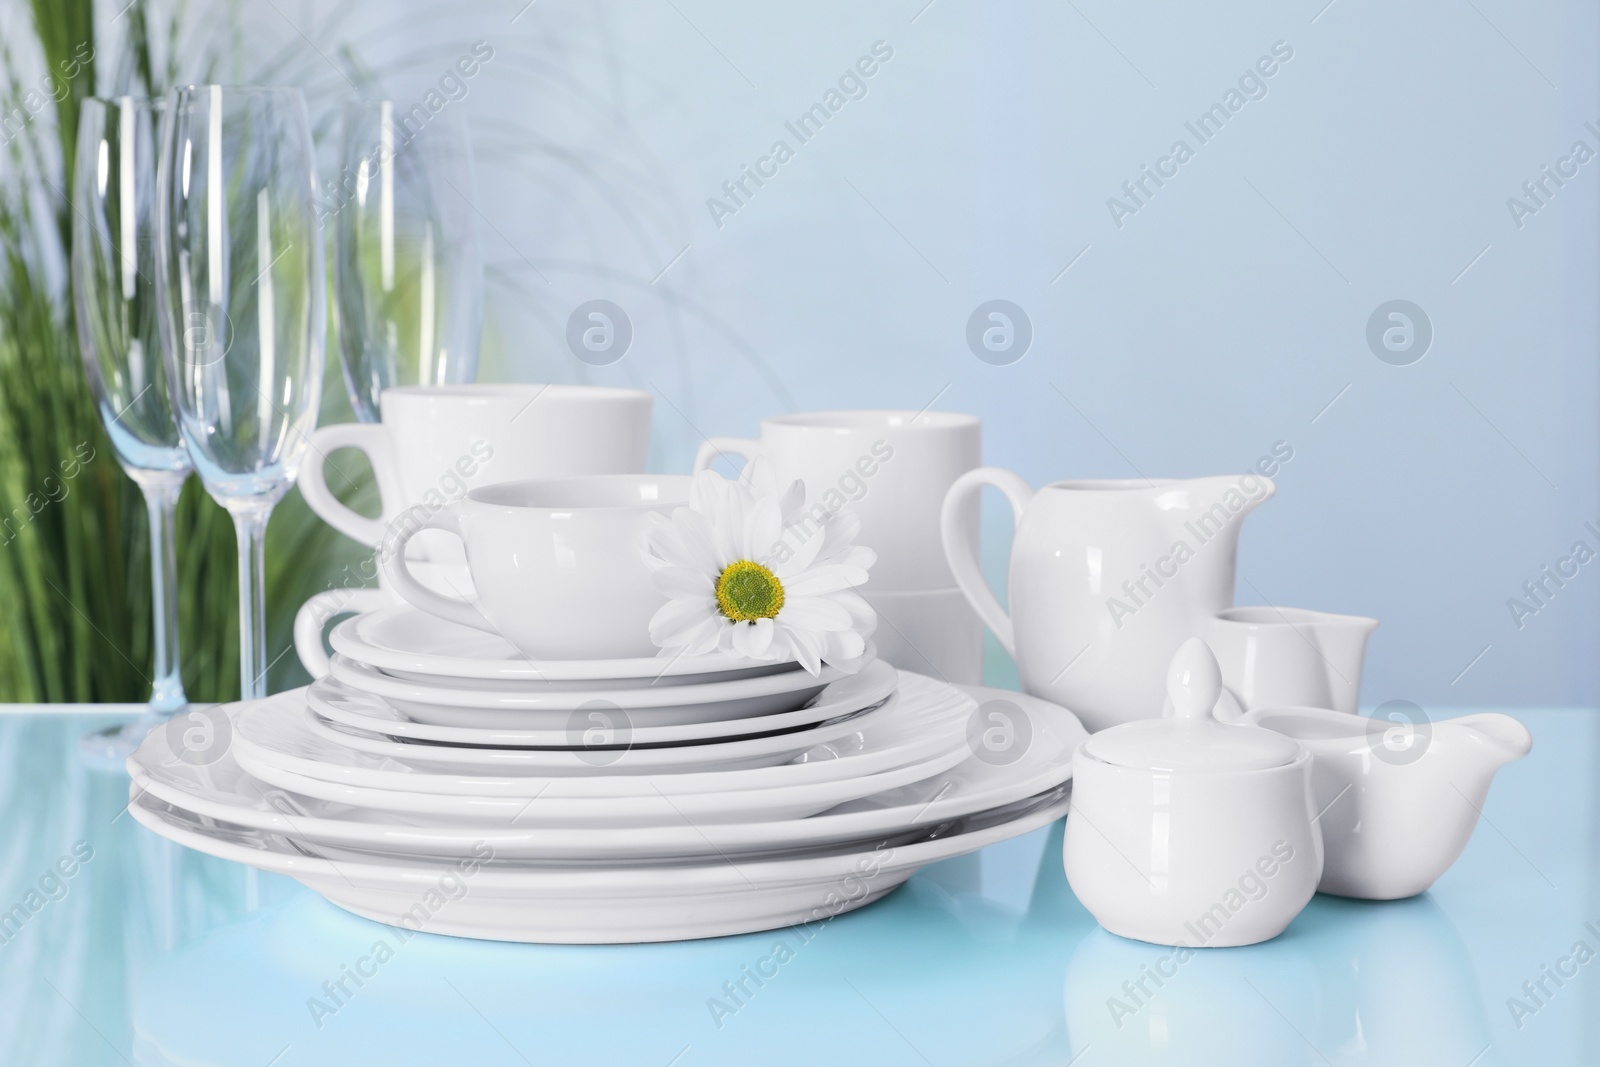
(1193, 740)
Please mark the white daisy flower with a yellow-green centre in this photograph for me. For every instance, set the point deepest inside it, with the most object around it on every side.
(750, 572)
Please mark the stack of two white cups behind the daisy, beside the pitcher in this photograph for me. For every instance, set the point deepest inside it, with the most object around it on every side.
(894, 470)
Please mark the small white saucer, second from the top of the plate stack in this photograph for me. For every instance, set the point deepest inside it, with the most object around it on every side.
(550, 708)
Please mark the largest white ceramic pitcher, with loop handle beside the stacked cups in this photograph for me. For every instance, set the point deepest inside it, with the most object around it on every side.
(1106, 580)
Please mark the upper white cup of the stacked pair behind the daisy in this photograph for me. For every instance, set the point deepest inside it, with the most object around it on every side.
(894, 468)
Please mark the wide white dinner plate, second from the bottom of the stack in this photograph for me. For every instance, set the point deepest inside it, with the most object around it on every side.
(223, 791)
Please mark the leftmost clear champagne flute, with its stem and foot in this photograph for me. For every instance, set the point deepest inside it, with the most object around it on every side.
(114, 286)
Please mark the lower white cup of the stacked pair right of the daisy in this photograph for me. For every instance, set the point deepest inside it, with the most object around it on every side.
(934, 633)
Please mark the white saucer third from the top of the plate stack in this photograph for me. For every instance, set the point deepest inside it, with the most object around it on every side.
(364, 711)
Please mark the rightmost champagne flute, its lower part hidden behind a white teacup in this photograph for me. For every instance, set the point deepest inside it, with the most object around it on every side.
(407, 265)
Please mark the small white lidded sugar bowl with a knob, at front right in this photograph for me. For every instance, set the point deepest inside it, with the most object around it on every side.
(1193, 833)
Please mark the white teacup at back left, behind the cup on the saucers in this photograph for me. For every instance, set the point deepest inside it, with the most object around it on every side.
(438, 442)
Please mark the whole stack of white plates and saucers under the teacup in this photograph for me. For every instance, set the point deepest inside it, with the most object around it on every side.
(441, 781)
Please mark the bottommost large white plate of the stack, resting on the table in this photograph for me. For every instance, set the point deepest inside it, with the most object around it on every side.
(503, 901)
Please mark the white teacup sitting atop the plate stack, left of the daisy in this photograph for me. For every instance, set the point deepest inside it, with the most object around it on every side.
(559, 564)
